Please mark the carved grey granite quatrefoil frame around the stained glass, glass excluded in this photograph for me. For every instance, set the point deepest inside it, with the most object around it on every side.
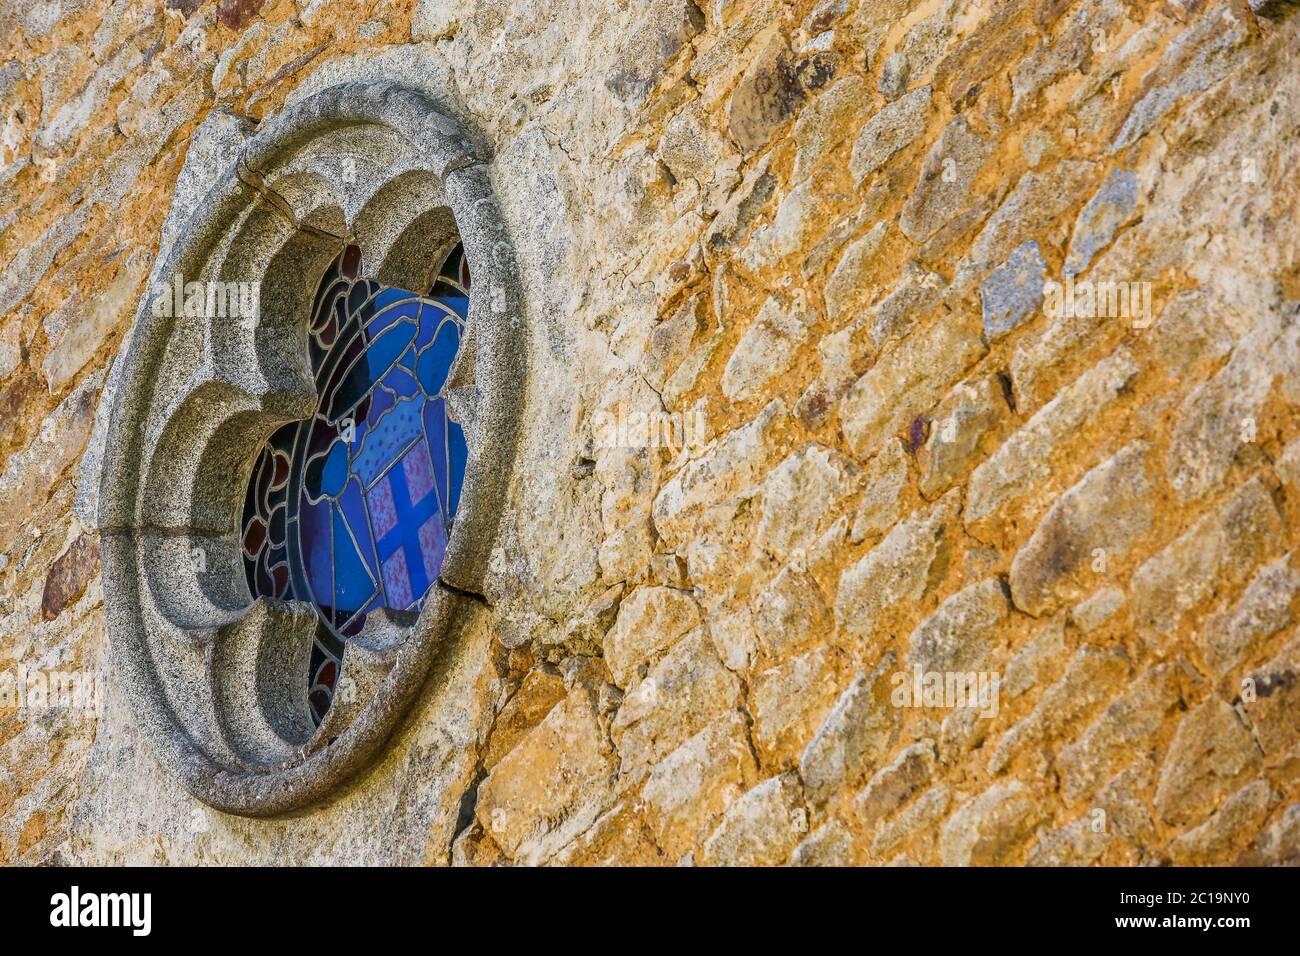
(218, 681)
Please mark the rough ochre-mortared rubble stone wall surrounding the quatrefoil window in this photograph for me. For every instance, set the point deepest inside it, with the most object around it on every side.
(872, 343)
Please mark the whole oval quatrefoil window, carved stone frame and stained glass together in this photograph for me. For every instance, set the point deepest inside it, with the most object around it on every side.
(302, 449)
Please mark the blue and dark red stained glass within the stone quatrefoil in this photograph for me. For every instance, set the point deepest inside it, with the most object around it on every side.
(352, 508)
